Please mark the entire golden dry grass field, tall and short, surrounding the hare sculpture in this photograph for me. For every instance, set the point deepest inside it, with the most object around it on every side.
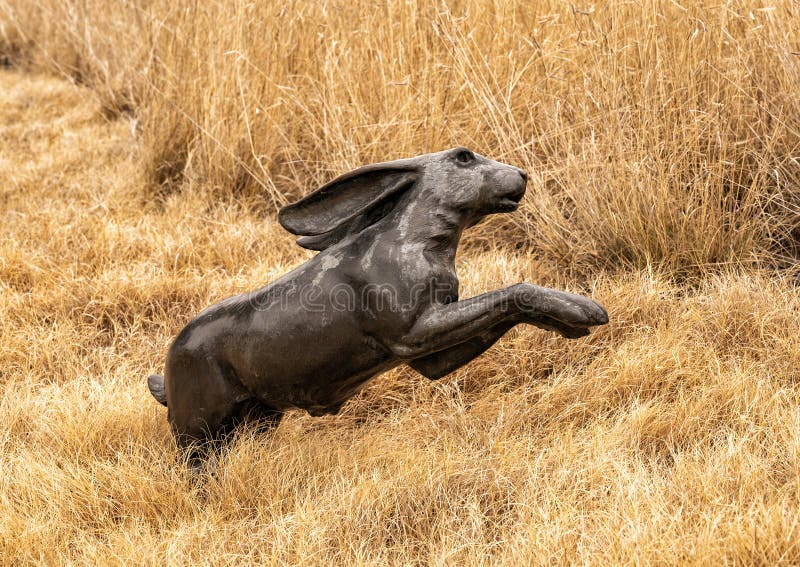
(145, 148)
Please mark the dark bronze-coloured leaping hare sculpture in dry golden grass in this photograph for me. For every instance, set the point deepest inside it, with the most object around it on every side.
(382, 291)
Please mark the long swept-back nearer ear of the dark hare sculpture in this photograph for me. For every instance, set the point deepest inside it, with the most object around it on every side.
(340, 203)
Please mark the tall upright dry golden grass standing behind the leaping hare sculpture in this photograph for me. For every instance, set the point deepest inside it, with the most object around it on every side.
(658, 133)
